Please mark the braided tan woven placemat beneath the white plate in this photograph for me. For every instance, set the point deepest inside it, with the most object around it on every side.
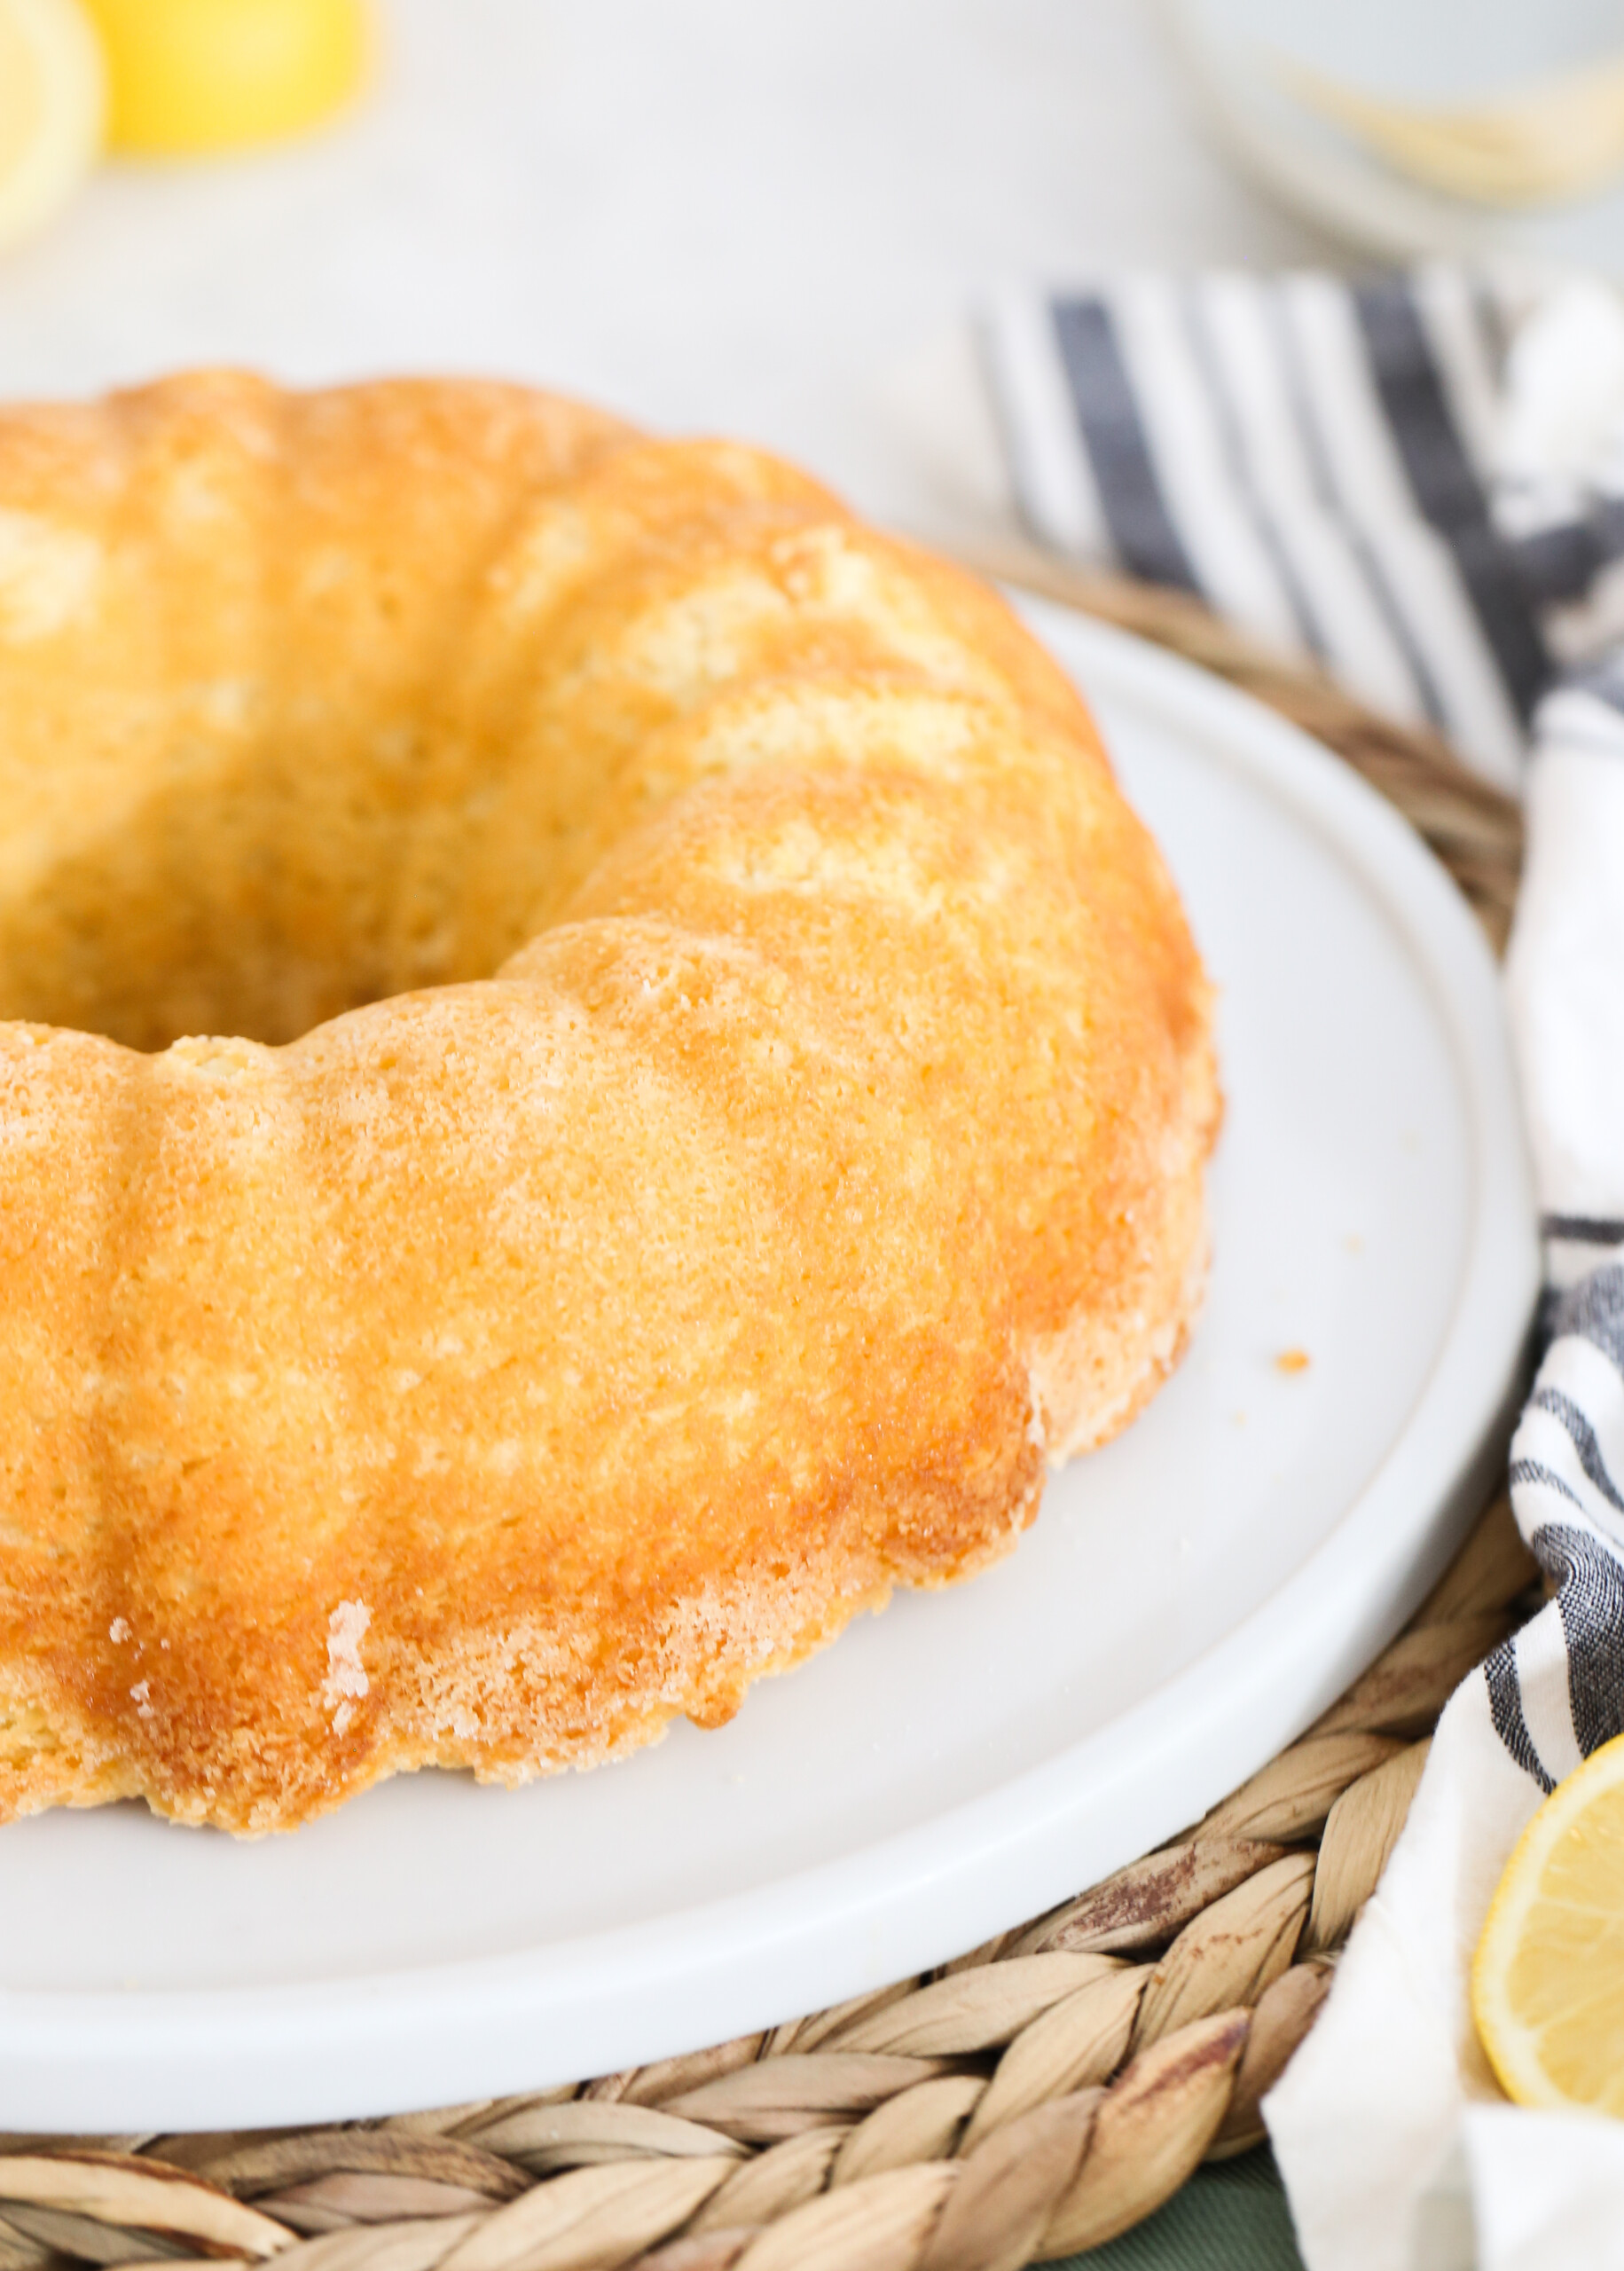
(1044, 2093)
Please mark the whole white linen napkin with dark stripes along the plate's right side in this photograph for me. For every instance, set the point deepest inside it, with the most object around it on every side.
(1421, 483)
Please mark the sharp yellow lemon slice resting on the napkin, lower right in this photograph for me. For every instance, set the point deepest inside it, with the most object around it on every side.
(1548, 1981)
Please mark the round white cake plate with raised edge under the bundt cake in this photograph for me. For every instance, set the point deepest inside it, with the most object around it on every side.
(1187, 1602)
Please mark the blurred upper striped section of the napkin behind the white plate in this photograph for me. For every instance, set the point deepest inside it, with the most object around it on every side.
(1343, 469)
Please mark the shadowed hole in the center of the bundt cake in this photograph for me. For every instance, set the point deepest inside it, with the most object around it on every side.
(269, 903)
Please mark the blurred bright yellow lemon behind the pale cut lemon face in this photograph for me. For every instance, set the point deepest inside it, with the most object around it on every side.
(219, 74)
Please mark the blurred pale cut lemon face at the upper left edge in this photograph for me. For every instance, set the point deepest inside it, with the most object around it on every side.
(51, 110)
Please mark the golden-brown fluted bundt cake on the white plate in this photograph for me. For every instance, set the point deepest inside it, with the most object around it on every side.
(719, 1087)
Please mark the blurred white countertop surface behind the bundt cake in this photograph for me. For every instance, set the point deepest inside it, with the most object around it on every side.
(751, 217)
